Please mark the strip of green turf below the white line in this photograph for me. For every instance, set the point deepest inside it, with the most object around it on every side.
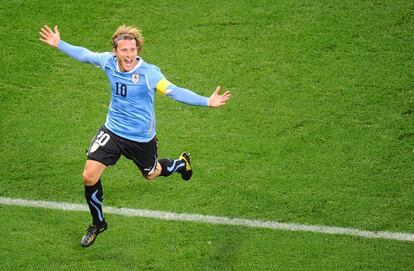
(146, 244)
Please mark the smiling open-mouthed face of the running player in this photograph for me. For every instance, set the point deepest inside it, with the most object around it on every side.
(126, 53)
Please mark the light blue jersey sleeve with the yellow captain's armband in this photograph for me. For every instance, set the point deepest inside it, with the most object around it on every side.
(159, 83)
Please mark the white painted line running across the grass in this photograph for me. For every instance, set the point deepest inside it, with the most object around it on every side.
(212, 219)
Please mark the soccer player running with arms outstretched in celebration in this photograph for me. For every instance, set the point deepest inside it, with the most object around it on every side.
(129, 129)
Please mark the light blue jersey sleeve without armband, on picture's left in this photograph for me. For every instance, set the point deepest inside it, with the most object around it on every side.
(84, 55)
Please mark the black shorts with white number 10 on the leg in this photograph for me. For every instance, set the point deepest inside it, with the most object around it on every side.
(107, 147)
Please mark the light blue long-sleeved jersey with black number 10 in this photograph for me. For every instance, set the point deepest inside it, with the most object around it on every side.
(131, 112)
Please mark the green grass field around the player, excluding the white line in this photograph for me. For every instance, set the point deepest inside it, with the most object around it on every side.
(319, 130)
